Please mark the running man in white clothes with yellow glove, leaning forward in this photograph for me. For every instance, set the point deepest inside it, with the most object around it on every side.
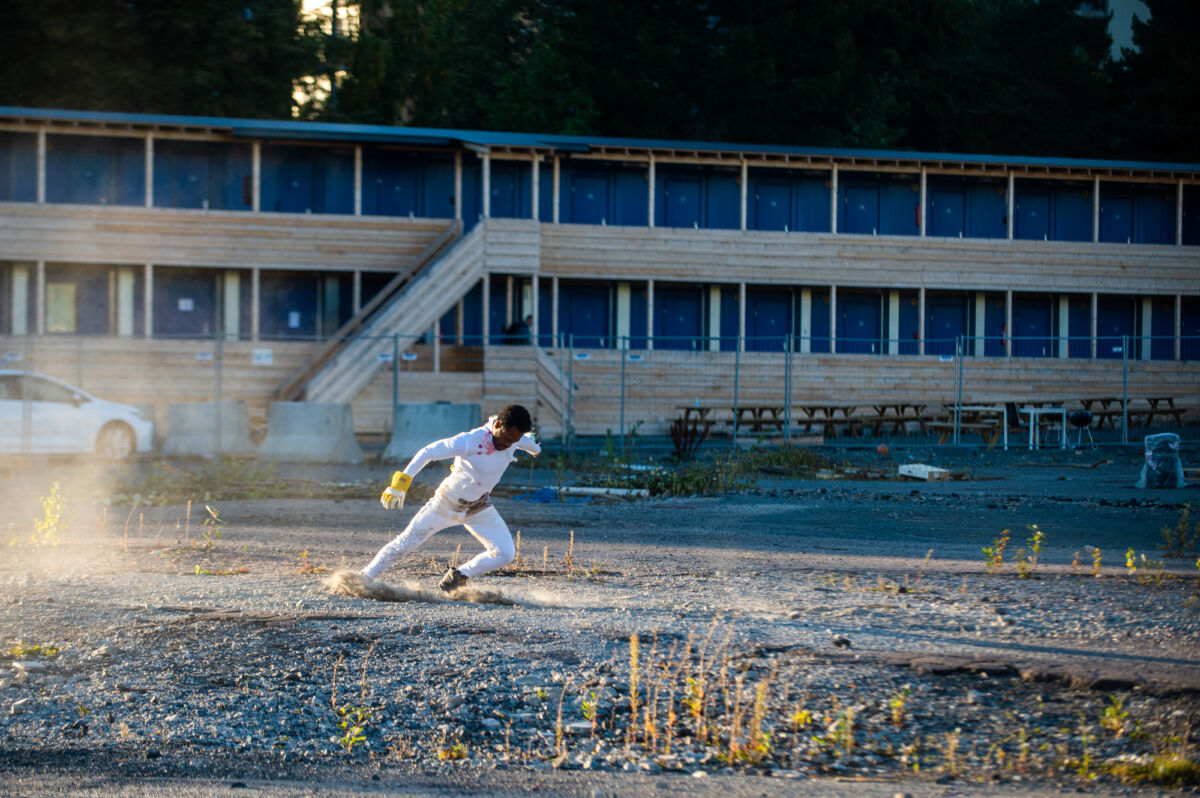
(482, 457)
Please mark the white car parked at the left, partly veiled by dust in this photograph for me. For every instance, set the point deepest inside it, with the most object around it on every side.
(41, 415)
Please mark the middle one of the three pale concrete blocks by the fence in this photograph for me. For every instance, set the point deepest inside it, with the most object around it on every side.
(311, 433)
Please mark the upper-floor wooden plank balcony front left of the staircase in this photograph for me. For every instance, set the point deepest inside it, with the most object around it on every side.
(212, 239)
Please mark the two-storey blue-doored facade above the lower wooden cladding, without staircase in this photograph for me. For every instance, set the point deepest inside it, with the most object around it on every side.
(148, 227)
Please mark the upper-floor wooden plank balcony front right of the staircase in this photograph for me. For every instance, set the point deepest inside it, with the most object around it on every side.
(770, 259)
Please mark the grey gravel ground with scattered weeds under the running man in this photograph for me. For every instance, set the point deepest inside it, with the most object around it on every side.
(818, 637)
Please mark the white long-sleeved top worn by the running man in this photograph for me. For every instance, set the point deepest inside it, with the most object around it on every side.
(478, 466)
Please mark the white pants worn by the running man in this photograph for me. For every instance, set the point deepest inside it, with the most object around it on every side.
(487, 526)
